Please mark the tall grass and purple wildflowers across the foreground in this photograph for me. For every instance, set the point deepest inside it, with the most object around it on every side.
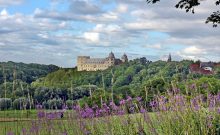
(171, 114)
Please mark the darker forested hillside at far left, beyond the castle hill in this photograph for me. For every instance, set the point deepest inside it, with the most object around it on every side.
(17, 76)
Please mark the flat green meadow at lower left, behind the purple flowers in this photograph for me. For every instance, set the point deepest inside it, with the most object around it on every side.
(18, 121)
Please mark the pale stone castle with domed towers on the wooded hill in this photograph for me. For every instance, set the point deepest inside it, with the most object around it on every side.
(85, 63)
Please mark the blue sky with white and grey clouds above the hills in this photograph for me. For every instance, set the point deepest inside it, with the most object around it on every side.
(57, 31)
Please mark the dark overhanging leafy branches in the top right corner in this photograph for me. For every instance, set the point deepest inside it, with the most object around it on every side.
(189, 5)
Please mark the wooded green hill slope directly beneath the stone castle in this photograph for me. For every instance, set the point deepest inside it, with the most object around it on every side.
(137, 71)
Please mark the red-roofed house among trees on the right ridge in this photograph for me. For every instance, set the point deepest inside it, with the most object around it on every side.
(202, 68)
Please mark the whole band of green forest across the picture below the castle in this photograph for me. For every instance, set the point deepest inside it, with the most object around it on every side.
(138, 77)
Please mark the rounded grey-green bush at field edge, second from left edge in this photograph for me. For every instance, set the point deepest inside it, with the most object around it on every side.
(21, 103)
